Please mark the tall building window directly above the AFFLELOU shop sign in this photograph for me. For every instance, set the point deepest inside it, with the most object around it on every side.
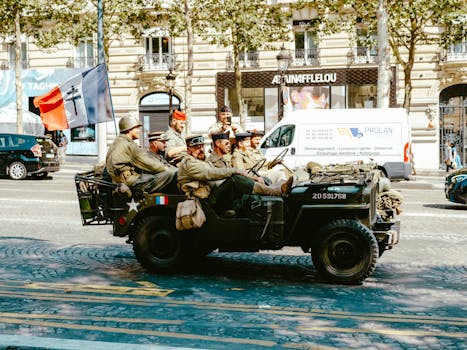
(306, 45)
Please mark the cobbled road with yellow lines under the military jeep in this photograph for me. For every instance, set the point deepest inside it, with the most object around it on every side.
(66, 286)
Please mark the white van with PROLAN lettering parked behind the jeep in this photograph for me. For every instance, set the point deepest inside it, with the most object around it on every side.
(332, 136)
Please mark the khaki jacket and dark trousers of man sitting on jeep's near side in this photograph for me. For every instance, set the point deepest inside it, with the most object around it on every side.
(226, 188)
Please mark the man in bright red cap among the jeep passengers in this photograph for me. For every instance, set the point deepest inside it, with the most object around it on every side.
(176, 146)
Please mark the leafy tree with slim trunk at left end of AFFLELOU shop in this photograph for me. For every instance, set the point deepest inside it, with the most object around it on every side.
(244, 26)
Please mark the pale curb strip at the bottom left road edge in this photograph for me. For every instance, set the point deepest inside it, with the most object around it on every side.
(36, 343)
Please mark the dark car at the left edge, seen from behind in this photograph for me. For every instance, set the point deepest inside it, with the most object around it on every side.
(27, 155)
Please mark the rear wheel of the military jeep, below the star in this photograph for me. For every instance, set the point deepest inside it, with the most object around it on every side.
(157, 244)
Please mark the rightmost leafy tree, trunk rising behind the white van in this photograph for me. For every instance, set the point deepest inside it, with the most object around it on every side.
(408, 25)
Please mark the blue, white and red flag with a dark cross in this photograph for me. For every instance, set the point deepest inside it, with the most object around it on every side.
(82, 100)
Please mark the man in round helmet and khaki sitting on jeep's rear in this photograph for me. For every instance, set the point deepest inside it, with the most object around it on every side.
(128, 163)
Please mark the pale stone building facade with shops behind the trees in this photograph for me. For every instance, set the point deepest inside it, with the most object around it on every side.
(324, 72)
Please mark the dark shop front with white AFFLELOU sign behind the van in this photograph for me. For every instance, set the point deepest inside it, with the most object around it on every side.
(265, 101)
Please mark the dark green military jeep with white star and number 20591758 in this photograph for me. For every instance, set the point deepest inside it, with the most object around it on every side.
(336, 214)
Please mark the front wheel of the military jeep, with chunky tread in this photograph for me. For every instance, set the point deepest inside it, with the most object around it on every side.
(346, 251)
